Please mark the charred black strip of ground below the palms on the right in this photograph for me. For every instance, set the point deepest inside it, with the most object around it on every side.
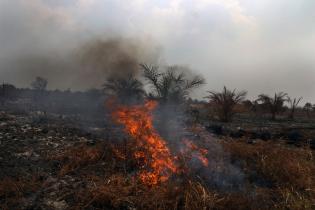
(299, 132)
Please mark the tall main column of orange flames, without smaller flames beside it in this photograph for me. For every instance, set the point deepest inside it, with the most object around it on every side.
(154, 155)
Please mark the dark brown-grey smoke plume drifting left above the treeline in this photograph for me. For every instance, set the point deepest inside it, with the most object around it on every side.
(84, 66)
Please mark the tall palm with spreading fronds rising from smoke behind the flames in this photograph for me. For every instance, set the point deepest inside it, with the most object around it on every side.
(171, 86)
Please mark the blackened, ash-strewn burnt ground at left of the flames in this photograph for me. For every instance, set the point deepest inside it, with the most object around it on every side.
(29, 147)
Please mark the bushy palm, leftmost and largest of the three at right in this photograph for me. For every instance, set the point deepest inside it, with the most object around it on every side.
(225, 102)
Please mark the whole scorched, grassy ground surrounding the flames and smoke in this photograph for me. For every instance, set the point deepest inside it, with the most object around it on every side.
(54, 162)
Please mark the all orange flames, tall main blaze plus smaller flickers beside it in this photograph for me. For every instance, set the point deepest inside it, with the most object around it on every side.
(153, 157)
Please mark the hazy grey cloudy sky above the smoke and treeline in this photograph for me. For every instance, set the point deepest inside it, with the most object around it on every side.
(262, 46)
